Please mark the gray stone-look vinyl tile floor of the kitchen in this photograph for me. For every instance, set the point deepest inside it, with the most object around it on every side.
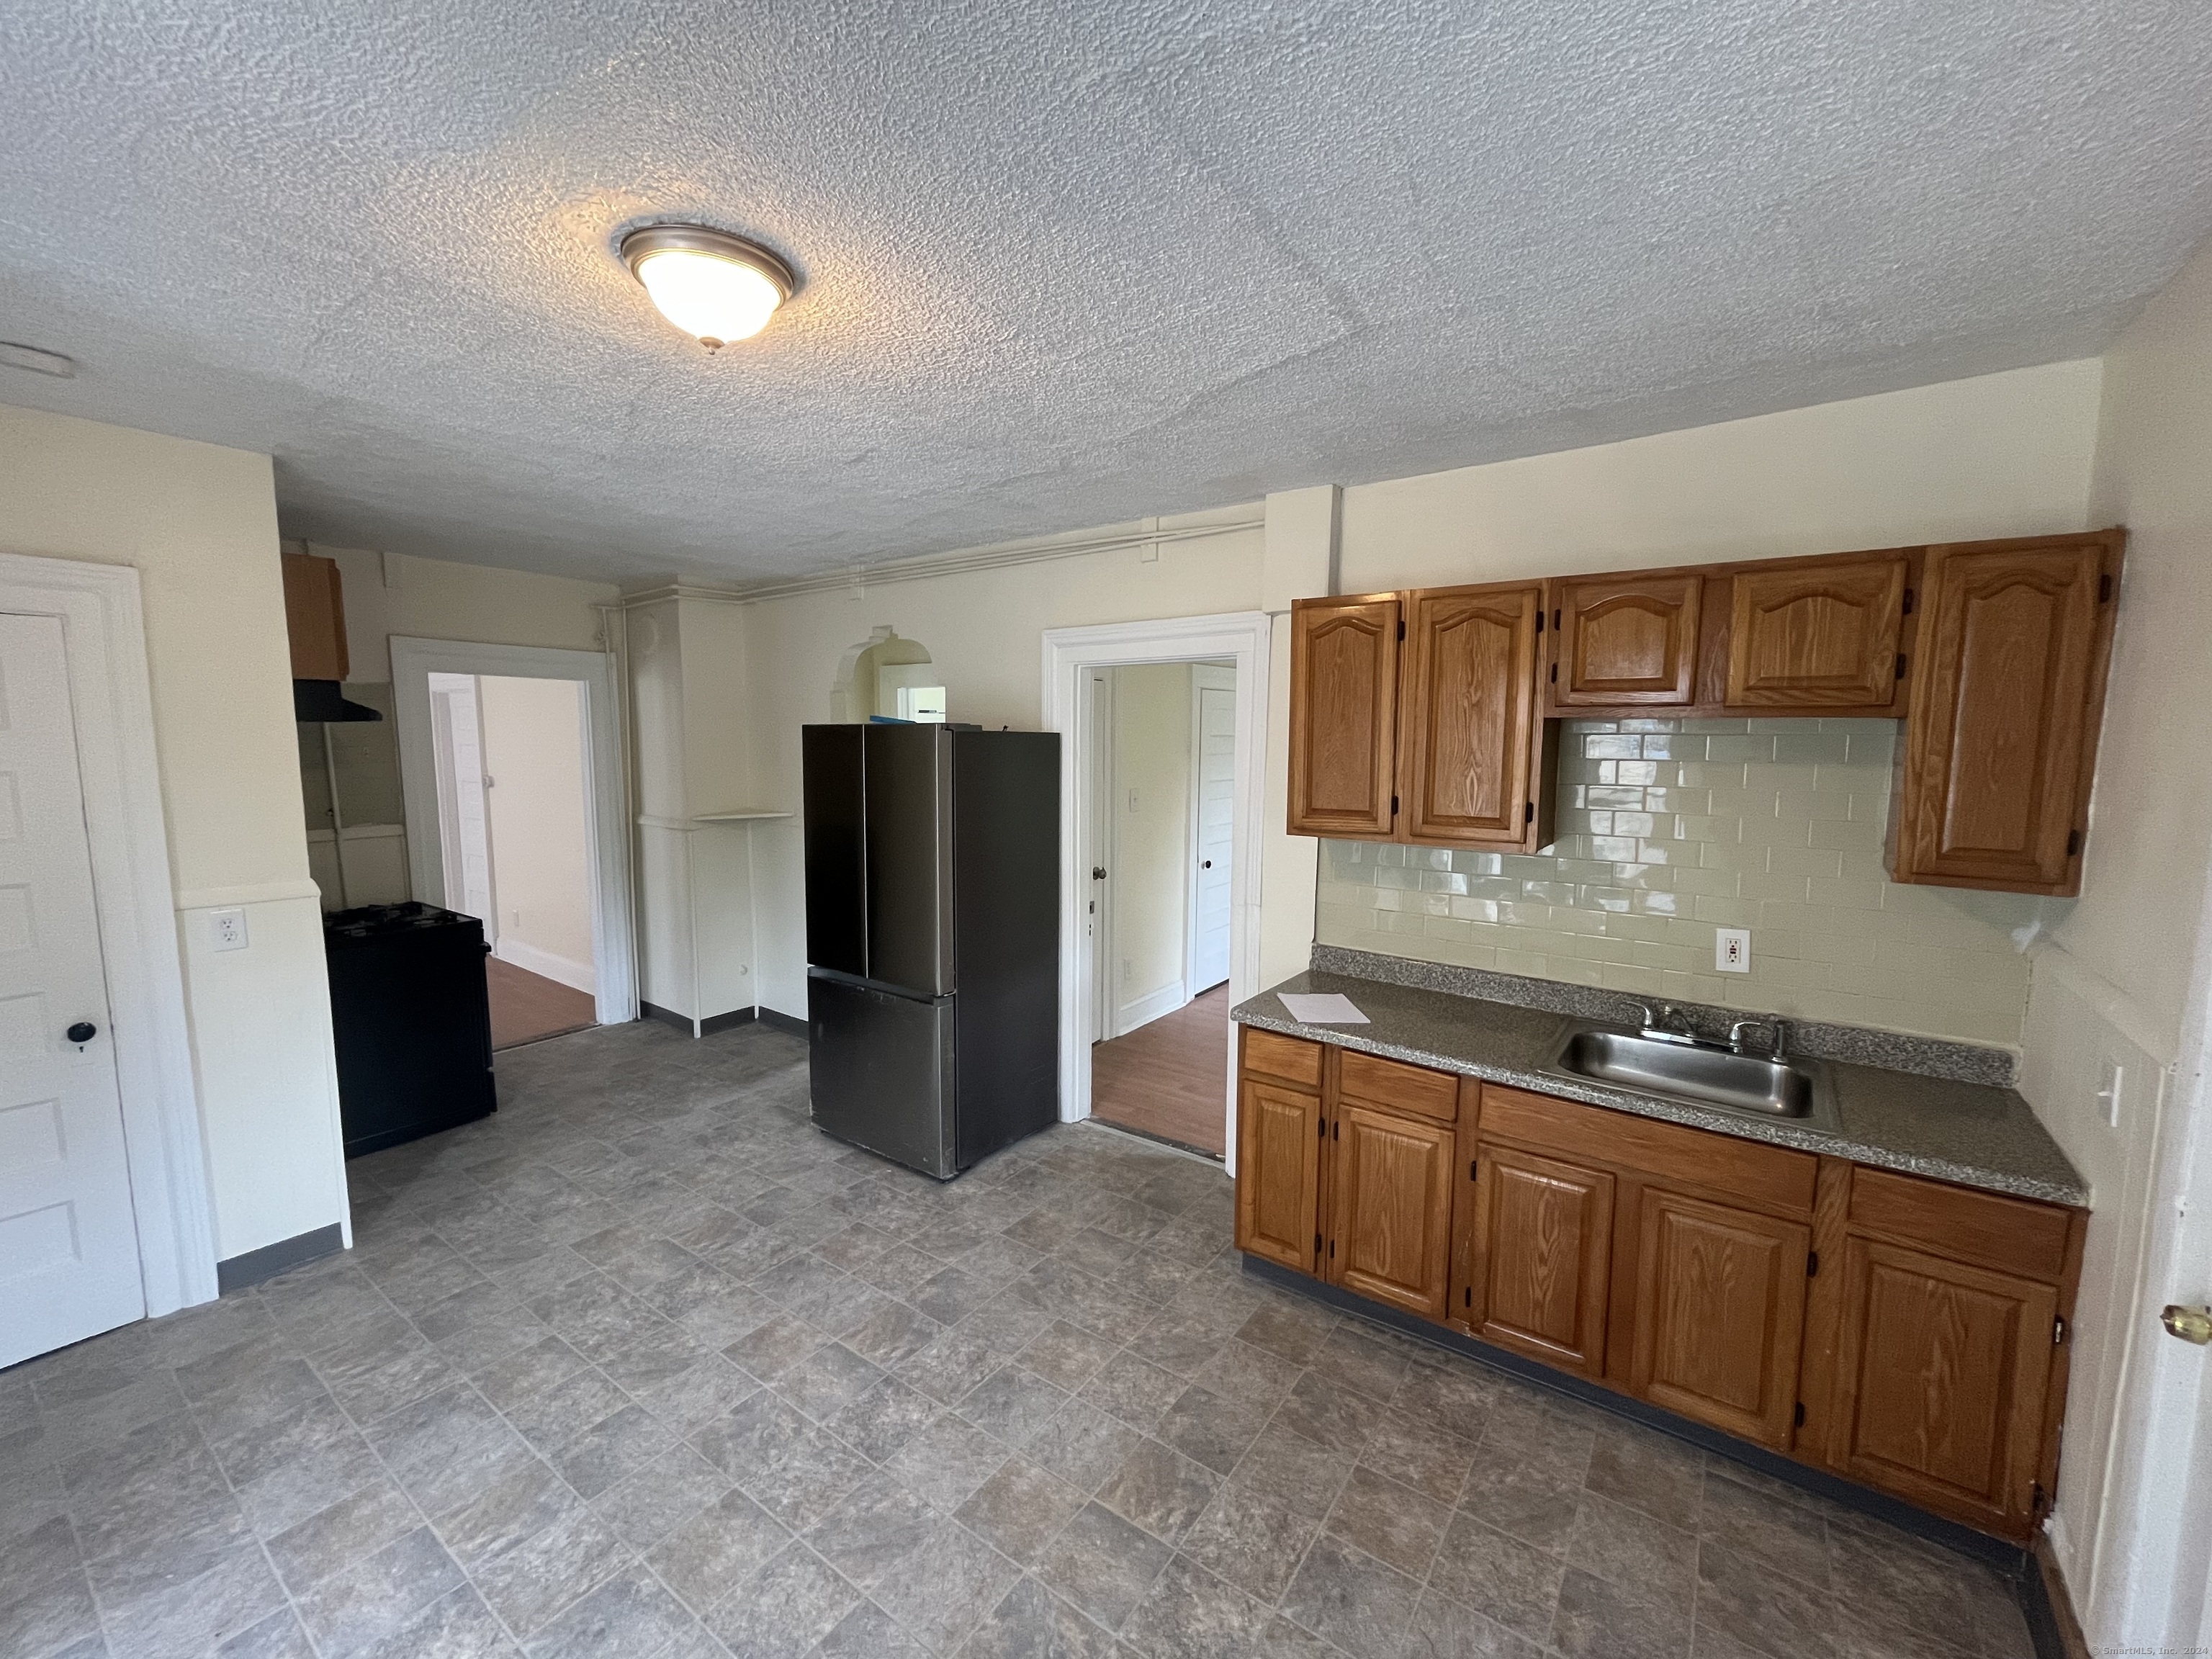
(649, 1368)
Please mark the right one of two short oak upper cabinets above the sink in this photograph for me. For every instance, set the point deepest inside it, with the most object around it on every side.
(1817, 636)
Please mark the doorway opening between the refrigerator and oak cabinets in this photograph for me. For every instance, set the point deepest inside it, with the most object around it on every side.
(1162, 758)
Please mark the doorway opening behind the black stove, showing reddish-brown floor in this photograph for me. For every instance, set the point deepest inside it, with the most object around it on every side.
(517, 846)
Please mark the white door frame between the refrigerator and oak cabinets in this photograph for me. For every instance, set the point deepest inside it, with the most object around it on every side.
(1242, 638)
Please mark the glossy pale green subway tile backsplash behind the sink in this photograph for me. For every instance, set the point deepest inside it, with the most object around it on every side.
(1671, 828)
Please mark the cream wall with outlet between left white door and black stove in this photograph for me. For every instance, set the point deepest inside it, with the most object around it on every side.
(200, 525)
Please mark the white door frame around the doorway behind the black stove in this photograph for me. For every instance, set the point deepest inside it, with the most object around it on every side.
(607, 844)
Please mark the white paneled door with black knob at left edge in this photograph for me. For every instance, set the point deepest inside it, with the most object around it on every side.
(70, 1262)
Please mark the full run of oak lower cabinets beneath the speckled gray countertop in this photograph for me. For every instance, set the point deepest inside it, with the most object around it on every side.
(1914, 1324)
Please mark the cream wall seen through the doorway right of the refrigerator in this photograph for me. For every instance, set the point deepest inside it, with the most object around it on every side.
(1151, 837)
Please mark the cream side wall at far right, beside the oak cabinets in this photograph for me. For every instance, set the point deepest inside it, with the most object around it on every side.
(2109, 990)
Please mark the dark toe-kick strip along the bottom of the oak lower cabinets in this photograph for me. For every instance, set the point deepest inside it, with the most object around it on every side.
(2007, 1558)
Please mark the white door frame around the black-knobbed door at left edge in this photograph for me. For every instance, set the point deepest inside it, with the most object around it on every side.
(112, 702)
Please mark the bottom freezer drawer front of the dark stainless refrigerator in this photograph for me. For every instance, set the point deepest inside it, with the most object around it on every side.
(884, 1074)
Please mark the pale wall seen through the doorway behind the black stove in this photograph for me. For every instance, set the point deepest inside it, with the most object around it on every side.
(534, 751)
